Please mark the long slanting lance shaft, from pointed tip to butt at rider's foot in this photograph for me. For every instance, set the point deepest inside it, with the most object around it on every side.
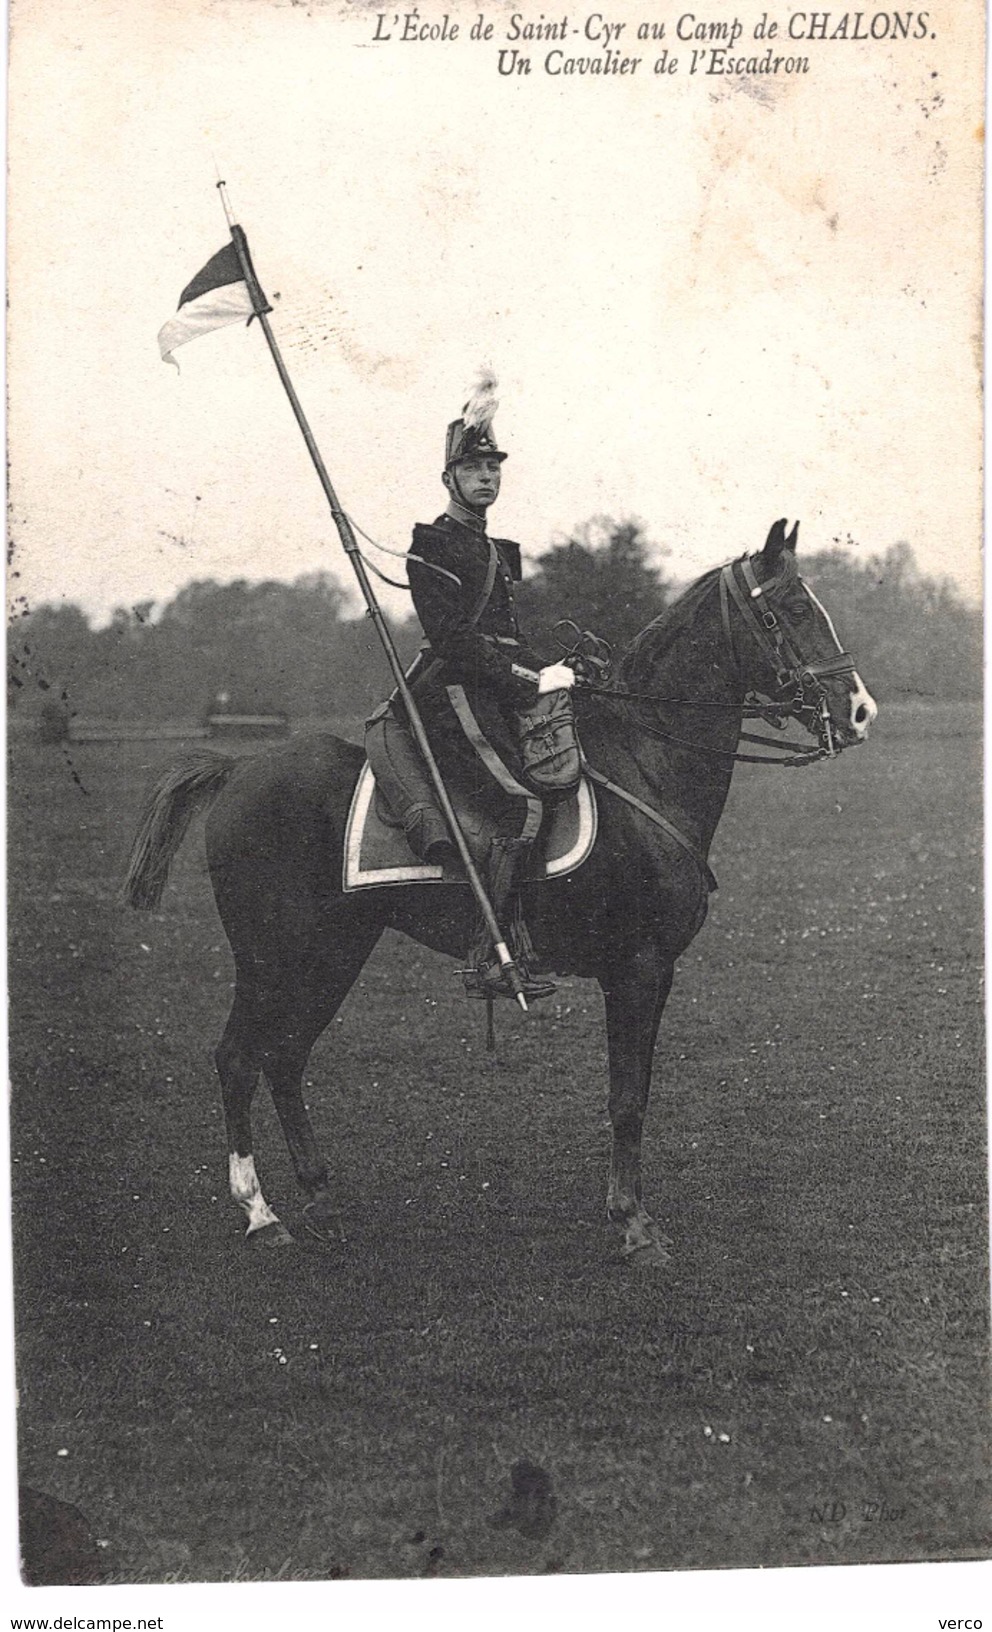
(262, 308)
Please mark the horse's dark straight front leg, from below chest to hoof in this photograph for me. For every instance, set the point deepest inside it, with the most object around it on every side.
(635, 998)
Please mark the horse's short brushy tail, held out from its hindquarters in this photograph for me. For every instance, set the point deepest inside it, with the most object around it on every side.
(185, 789)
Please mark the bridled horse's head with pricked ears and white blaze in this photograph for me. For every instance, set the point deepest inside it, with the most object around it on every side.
(787, 645)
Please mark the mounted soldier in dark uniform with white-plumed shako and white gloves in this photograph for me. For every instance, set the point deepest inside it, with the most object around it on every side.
(497, 716)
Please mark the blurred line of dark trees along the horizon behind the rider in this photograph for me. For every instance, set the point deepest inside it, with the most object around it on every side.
(299, 649)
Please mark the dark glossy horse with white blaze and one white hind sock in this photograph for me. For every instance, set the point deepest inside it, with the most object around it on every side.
(660, 742)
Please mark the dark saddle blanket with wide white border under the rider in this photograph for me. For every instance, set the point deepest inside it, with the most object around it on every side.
(376, 853)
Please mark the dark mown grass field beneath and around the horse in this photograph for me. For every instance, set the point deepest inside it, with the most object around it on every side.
(807, 1380)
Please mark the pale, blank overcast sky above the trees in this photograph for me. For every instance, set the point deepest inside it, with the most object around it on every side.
(709, 303)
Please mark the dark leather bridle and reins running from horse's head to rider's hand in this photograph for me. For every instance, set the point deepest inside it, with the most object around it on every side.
(799, 693)
